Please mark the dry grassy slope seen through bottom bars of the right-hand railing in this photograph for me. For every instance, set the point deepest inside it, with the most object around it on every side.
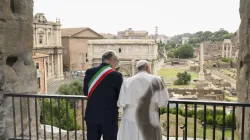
(190, 128)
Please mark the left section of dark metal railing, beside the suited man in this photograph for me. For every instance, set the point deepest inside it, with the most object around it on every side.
(37, 99)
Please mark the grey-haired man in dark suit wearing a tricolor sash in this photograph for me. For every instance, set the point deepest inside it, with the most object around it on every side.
(102, 86)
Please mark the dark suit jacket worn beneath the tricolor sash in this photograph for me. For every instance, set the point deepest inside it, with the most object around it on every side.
(102, 105)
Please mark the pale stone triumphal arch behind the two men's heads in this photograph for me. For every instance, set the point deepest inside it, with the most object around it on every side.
(128, 51)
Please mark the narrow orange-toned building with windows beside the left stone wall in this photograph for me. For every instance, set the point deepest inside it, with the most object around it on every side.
(40, 62)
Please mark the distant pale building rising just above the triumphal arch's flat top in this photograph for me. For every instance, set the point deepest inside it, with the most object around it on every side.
(131, 34)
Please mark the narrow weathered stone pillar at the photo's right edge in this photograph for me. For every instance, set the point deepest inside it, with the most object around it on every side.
(243, 68)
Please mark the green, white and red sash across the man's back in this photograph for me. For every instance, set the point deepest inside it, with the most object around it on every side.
(97, 78)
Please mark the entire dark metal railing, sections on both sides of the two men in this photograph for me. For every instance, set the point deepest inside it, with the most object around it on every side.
(28, 101)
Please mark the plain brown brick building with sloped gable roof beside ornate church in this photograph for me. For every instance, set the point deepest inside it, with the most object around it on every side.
(76, 47)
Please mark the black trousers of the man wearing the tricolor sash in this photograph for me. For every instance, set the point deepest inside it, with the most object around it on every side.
(108, 131)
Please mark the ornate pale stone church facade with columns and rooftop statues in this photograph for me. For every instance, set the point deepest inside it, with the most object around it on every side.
(47, 40)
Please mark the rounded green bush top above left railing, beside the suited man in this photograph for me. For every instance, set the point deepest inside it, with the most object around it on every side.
(74, 88)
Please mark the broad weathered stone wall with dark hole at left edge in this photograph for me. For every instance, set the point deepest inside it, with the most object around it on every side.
(17, 72)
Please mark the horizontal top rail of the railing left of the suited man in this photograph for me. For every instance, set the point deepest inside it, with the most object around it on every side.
(55, 96)
